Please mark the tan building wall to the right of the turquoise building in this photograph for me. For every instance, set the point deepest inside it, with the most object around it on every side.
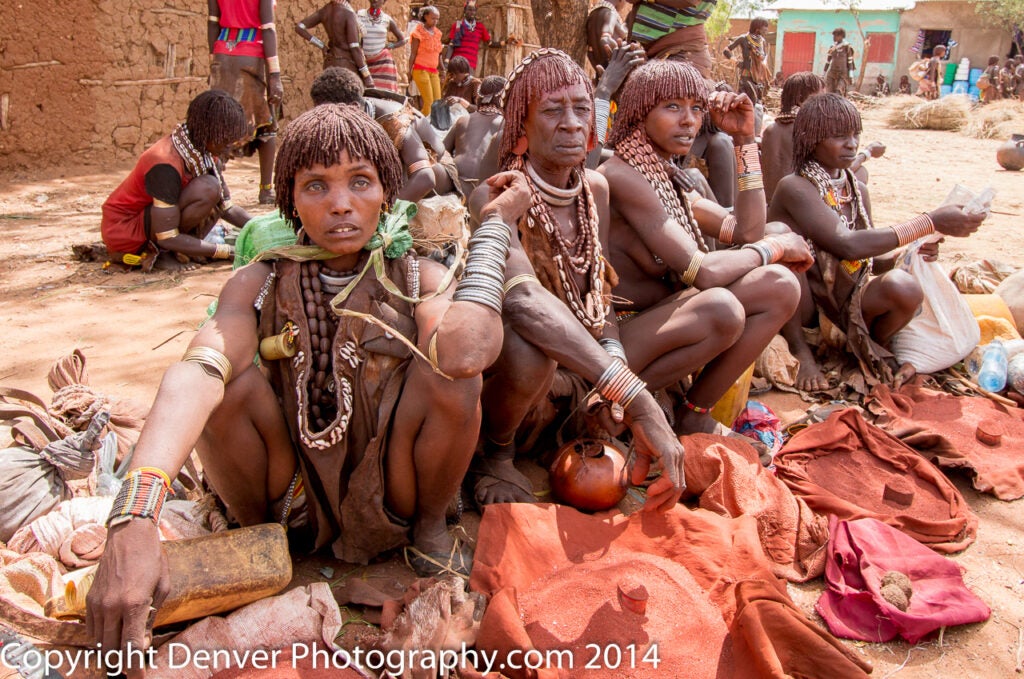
(977, 38)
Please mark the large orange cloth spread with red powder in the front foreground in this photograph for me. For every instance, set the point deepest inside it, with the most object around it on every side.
(689, 557)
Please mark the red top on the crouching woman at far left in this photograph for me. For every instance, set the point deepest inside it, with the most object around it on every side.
(123, 224)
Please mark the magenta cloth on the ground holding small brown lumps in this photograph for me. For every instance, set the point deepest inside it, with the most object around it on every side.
(861, 554)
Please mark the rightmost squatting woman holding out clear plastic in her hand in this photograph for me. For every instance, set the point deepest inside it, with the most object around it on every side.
(824, 202)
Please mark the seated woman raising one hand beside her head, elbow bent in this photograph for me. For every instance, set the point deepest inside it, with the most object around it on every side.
(681, 308)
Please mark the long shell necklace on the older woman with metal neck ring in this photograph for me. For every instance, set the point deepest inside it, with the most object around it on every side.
(583, 256)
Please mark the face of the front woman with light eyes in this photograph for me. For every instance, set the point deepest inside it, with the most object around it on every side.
(339, 206)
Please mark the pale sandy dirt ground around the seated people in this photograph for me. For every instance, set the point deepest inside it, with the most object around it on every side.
(132, 327)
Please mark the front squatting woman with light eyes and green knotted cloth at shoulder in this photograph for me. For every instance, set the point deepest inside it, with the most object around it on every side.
(357, 436)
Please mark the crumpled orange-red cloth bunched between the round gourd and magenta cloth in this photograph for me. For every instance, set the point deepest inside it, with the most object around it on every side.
(732, 482)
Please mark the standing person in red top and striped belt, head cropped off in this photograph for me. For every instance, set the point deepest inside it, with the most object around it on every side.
(244, 63)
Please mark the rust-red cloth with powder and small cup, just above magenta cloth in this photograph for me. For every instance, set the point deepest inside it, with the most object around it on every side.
(842, 466)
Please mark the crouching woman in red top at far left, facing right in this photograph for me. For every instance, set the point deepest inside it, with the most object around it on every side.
(160, 215)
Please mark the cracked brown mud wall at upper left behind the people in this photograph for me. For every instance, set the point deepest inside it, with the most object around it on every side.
(102, 80)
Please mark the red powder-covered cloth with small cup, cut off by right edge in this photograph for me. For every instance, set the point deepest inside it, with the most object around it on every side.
(942, 428)
